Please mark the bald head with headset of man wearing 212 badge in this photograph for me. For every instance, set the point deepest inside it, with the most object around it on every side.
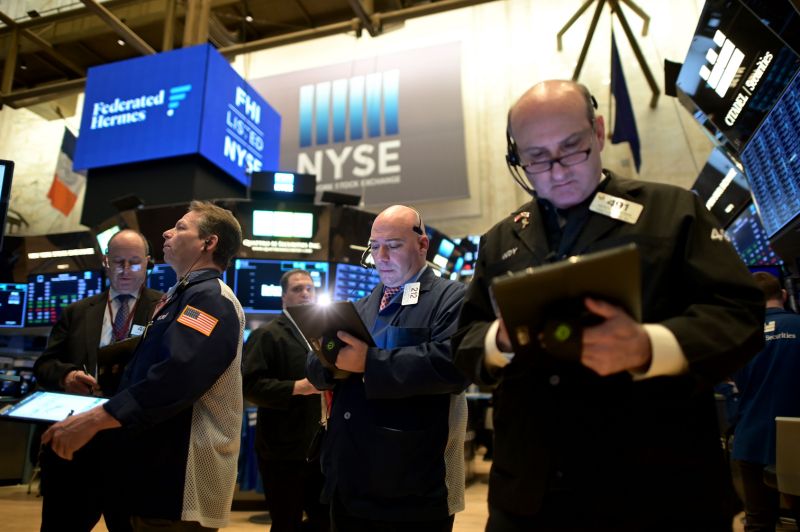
(398, 244)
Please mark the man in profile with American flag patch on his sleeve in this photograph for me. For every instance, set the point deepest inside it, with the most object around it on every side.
(180, 400)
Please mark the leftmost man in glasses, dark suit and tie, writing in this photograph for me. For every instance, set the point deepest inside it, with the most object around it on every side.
(76, 493)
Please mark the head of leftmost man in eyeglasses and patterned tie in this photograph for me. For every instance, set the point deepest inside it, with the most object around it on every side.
(126, 261)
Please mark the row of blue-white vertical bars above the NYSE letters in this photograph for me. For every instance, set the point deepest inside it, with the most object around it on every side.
(335, 111)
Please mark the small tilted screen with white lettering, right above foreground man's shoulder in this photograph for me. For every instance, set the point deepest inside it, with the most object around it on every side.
(722, 187)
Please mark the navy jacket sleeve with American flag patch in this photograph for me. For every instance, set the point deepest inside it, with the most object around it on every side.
(191, 364)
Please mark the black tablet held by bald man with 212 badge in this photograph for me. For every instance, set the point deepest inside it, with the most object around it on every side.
(319, 324)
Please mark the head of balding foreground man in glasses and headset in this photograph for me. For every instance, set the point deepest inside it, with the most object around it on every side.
(555, 121)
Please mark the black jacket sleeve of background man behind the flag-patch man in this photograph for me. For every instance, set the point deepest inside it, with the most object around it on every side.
(260, 386)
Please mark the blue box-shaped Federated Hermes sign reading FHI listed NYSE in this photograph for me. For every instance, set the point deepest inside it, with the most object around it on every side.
(176, 103)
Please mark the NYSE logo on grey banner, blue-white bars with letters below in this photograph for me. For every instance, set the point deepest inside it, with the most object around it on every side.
(360, 113)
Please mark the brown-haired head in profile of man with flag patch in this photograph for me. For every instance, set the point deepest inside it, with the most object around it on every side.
(206, 236)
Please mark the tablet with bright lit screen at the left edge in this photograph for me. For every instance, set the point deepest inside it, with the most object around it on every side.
(49, 407)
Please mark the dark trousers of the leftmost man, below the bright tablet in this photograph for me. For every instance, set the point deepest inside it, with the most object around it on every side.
(77, 492)
